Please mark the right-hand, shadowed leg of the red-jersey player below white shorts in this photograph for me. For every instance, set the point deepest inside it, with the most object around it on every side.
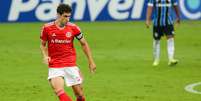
(78, 91)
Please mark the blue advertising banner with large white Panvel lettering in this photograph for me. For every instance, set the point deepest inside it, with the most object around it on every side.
(87, 10)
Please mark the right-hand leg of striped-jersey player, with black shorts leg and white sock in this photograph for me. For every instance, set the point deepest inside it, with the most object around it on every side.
(169, 30)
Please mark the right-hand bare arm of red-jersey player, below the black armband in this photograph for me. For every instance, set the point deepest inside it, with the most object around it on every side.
(87, 51)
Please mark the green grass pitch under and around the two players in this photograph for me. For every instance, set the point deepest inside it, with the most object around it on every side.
(123, 55)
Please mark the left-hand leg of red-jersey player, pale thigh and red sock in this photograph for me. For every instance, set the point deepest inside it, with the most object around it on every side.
(57, 84)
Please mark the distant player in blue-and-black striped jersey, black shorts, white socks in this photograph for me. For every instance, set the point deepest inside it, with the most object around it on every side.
(162, 25)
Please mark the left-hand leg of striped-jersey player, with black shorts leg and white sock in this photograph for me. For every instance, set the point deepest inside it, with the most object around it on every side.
(157, 33)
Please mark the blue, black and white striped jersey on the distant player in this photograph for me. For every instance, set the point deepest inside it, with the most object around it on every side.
(162, 11)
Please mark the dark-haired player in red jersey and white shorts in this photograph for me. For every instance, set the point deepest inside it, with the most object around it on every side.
(59, 53)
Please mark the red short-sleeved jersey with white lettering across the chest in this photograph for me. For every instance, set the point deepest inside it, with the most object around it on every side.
(60, 44)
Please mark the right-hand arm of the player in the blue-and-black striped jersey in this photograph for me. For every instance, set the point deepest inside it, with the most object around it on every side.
(176, 8)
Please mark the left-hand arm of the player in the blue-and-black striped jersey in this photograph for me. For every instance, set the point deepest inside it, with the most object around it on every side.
(149, 13)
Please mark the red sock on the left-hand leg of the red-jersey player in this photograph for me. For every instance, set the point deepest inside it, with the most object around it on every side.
(63, 96)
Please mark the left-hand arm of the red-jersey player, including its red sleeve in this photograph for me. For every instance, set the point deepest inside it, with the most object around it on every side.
(43, 46)
